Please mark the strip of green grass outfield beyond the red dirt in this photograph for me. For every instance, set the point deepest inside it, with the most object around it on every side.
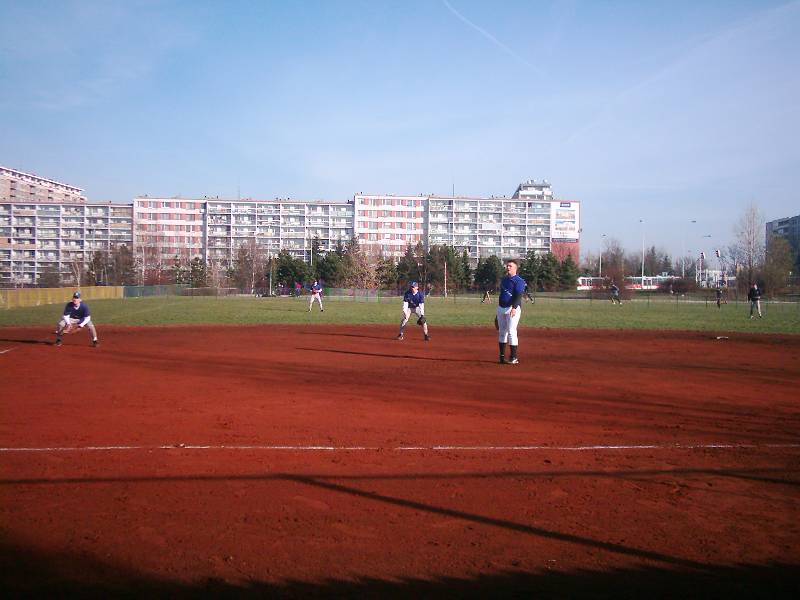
(546, 312)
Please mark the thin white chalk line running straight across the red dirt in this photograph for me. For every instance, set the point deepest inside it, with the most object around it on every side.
(411, 448)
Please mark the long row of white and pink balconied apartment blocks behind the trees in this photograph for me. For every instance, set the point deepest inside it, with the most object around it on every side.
(49, 226)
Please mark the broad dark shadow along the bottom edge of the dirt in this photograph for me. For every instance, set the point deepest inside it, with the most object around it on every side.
(35, 574)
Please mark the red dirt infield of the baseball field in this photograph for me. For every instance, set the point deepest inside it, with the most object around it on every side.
(332, 460)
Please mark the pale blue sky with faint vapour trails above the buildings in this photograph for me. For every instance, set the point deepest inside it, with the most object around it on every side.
(663, 111)
